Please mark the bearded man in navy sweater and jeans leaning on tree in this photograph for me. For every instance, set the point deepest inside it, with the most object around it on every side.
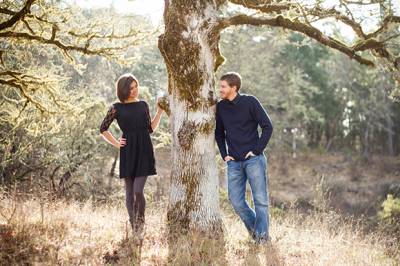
(237, 119)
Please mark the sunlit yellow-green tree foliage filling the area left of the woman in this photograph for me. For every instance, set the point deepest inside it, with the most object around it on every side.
(52, 57)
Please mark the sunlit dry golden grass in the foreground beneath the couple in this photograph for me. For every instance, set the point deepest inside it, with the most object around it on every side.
(35, 232)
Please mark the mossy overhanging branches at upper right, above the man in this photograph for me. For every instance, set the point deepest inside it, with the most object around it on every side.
(298, 17)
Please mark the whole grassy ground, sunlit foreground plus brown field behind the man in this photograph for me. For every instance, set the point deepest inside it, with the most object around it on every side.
(35, 230)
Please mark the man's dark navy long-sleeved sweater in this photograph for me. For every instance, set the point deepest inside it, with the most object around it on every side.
(237, 122)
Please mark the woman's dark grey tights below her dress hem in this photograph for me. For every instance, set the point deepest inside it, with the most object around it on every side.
(135, 200)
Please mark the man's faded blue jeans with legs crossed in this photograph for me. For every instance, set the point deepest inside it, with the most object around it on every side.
(253, 169)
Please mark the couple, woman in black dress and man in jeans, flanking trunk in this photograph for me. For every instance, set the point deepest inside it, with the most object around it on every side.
(237, 119)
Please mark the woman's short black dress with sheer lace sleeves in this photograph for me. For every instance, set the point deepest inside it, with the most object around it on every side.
(137, 156)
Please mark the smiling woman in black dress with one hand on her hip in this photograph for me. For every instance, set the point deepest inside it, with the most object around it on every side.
(135, 147)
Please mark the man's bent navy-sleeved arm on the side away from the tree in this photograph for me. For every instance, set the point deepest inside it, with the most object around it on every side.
(261, 116)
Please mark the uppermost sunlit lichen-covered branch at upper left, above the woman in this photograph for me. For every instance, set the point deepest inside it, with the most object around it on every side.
(38, 27)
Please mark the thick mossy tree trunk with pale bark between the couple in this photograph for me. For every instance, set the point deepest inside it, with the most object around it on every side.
(189, 48)
